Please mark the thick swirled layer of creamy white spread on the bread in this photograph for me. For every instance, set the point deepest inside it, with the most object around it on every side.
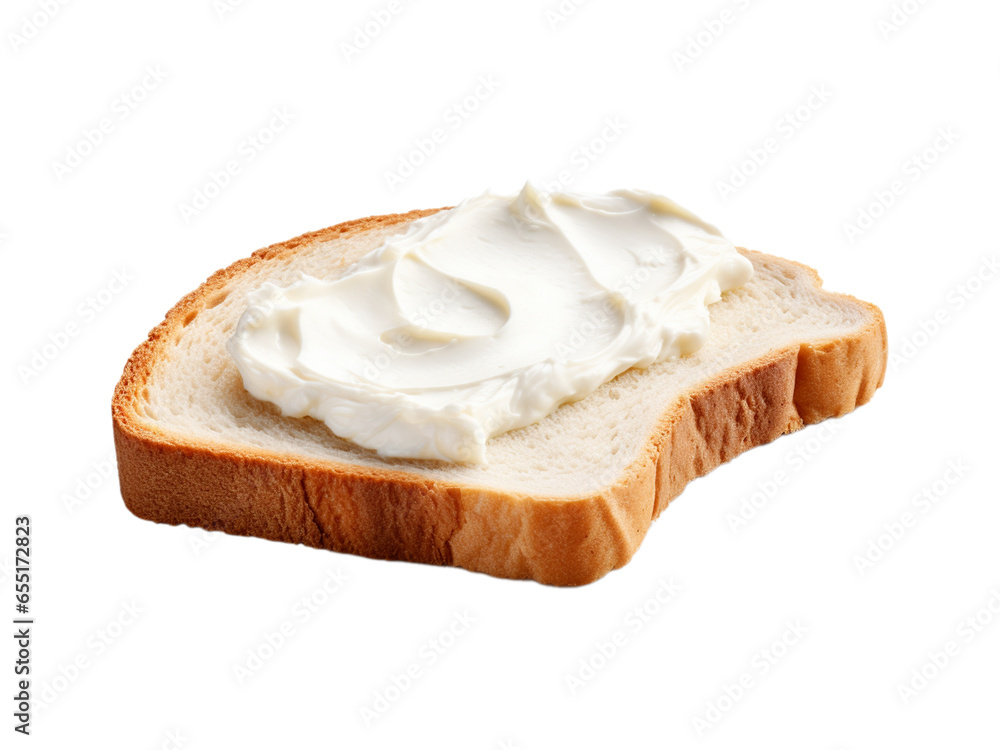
(486, 317)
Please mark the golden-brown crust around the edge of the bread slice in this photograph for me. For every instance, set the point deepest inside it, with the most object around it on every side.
(391, 514)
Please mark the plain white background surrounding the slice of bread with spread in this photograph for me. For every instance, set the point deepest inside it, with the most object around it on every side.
(685, 127)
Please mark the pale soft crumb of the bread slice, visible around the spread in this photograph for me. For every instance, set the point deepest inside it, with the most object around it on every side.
(194, 390)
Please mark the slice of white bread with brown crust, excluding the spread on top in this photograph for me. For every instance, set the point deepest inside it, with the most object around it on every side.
(562, 501)
